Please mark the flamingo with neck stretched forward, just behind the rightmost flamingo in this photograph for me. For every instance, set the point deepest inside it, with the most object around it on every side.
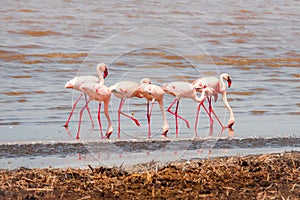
(182, 90)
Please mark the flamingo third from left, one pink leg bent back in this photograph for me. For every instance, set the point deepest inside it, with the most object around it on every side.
(124, 90)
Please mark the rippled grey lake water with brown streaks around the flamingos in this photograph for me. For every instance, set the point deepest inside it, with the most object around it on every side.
(44, 46)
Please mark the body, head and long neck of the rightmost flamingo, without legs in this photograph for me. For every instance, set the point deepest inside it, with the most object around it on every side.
(219, 86)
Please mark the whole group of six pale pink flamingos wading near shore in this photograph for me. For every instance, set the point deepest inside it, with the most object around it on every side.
(95, 89)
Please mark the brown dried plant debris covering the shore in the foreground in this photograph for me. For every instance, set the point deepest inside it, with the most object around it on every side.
(267, 176)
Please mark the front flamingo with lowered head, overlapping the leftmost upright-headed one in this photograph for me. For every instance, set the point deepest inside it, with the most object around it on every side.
(101, 93)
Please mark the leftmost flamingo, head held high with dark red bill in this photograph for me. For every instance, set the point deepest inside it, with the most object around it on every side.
(78, 81)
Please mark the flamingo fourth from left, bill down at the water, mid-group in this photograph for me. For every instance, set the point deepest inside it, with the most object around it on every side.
(154, 93)
